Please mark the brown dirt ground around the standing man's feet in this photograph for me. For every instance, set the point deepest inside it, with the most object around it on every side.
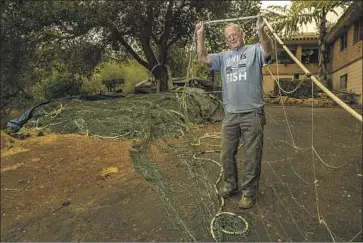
(78, 188)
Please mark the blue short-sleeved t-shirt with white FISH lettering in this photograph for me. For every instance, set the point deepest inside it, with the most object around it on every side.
(241, 72)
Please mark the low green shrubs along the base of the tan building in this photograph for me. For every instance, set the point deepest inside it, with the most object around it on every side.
(304, 90)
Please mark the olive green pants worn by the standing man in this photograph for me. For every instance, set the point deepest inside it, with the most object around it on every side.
(247, 128)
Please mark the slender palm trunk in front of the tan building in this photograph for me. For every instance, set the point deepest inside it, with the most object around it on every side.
(323, 51)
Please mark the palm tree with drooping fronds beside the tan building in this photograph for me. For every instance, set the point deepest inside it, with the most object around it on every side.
(304, 12)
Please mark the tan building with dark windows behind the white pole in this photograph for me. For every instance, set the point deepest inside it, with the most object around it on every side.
(345, 54)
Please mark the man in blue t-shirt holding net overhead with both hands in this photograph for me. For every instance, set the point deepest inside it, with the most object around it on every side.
(241, 72)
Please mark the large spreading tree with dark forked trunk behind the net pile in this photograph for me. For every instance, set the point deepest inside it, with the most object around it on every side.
(144, 30)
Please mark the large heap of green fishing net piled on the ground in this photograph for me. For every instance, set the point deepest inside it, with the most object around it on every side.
(137, 116)
